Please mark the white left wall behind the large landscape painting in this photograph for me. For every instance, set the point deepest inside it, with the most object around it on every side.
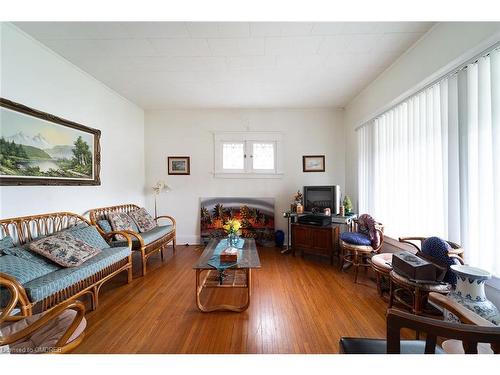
(33, 75)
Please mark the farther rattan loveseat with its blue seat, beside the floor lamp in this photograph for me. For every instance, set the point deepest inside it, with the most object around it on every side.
(148, 243)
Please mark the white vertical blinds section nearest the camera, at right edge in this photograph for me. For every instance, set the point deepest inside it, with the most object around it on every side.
(474, 108)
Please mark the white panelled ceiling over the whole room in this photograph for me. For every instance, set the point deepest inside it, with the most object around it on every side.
(231, 64)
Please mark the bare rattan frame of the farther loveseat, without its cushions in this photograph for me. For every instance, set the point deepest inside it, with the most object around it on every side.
(146, 249)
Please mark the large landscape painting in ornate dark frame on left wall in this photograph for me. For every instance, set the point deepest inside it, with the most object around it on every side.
(37, 148)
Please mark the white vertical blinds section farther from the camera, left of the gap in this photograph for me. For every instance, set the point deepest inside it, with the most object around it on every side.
(401, 164)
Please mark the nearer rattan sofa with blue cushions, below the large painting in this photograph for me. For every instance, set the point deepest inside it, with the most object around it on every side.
(54, 284)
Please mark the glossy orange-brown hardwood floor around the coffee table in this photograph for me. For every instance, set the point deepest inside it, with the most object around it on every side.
(298, 306)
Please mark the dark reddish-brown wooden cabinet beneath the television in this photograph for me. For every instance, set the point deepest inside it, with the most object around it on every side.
(316, 240)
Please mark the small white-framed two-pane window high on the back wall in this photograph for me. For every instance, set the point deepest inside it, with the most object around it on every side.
(248, 154)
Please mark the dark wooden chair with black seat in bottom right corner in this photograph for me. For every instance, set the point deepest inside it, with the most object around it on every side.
(471, 330)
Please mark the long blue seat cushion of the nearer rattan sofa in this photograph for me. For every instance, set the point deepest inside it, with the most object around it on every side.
(48, 284)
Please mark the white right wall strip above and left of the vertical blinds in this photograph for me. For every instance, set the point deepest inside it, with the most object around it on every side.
(445, 46)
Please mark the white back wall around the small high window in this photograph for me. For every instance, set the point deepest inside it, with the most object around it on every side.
(189, 133)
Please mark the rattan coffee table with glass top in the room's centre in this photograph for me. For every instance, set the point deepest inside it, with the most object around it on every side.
(238, 276)
